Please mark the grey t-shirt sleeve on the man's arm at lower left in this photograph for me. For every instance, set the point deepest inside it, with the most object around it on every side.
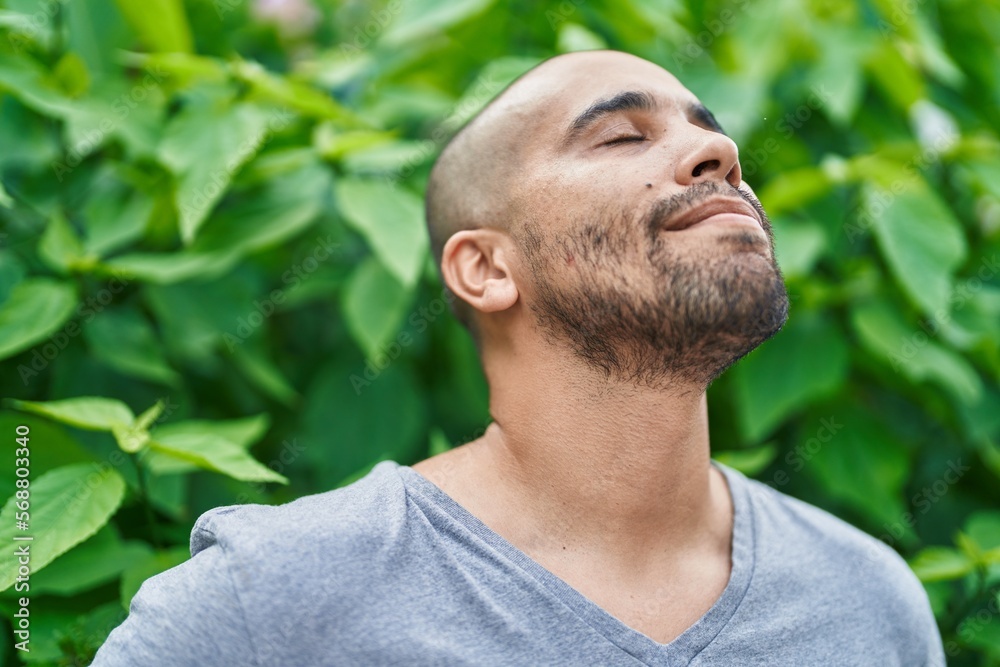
(187, 616)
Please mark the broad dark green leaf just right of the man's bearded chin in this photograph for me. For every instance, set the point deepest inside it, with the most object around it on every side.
(786, 373)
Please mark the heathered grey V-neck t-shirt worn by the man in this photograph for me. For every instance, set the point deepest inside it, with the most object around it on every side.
(390, 570)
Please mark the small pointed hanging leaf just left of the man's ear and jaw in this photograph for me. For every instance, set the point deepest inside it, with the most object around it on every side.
(374, 306)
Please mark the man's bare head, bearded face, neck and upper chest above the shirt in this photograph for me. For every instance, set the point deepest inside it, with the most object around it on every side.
(600, 327)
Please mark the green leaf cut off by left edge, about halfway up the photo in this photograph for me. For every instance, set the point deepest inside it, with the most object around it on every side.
(35, 309)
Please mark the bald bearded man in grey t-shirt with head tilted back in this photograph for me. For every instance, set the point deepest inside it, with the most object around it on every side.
(610, 262)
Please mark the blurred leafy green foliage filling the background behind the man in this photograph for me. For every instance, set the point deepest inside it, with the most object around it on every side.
(215, 284)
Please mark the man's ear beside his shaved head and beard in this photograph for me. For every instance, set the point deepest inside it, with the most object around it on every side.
(475, 267)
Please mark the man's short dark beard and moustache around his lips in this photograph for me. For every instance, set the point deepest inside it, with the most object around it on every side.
(706, 310)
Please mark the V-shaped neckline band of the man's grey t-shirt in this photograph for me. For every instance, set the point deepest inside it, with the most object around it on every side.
(685, 646)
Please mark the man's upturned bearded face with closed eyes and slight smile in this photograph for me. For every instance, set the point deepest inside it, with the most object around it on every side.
(646, 252)
